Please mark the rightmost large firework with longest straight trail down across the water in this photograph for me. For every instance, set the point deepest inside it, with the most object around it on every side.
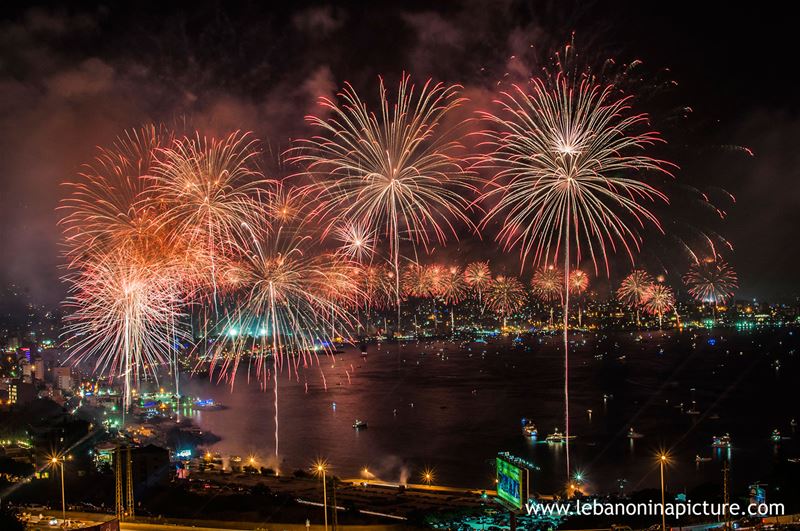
(563, 148)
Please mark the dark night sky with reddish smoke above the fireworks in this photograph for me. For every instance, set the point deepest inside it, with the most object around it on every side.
(717, 78)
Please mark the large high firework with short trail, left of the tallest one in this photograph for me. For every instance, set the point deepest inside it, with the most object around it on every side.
(397, 172)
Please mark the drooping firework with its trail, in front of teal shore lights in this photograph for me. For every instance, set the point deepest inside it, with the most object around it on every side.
(286, 307)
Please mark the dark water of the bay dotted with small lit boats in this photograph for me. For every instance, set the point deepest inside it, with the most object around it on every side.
(438, 405)
